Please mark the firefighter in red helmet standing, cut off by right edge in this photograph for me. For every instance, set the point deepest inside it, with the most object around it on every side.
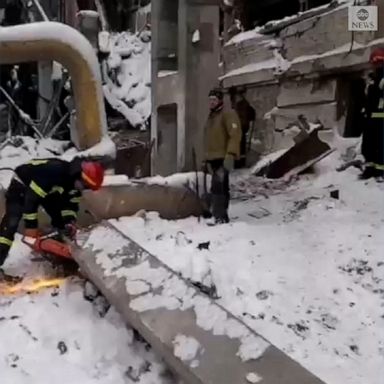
(373, 131)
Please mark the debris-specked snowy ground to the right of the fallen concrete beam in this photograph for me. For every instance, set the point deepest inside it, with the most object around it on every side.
(302, 269)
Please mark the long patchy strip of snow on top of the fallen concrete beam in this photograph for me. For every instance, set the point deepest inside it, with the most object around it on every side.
(156, 287)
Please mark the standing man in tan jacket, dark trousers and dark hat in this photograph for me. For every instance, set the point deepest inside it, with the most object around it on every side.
(222, 148)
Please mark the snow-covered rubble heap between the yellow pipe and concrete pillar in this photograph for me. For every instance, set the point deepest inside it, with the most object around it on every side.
(128, 77)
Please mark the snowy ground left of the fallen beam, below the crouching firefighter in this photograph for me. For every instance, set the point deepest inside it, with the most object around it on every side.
(57, 336)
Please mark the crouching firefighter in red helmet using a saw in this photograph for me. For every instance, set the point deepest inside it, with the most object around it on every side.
(55, 185)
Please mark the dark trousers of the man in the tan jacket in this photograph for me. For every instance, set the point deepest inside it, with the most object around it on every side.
(220, 194)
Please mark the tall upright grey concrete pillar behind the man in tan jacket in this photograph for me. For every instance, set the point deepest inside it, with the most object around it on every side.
(185, 84)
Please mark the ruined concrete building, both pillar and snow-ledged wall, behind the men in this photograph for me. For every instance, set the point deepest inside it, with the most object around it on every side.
(307, 64)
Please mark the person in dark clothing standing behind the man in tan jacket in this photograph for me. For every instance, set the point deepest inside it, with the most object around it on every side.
(247, 116)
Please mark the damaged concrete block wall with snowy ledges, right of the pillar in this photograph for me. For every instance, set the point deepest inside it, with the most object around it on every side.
(306, 66)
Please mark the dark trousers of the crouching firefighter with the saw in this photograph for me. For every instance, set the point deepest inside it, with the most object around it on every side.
(14, 209)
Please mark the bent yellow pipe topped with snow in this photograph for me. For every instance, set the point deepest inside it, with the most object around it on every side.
(46, 41)
